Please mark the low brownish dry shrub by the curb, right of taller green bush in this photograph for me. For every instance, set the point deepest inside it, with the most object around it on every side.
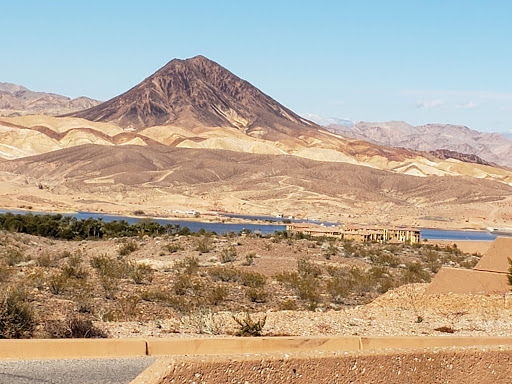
(74, 327)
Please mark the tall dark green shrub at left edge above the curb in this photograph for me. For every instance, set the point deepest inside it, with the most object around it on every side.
(17, 318)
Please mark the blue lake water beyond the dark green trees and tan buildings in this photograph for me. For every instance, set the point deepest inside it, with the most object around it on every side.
(221, 228)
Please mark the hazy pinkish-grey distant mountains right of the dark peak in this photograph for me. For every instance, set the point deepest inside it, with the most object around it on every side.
(491, 147)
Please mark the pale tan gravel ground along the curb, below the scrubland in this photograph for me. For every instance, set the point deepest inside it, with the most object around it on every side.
(403, 311)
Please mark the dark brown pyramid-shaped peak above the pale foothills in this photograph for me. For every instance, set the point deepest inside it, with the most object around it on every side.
(197, 92)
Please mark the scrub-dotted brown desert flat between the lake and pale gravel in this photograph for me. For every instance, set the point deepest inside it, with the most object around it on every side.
(104, 285)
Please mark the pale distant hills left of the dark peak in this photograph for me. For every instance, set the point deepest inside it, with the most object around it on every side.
(16, 100)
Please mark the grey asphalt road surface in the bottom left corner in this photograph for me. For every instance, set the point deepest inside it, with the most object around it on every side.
(73, 371)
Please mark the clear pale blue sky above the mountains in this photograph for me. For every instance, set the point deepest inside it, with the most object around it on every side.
(443, 61)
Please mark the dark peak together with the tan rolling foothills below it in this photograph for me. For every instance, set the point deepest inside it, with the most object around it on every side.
(195, 131)
